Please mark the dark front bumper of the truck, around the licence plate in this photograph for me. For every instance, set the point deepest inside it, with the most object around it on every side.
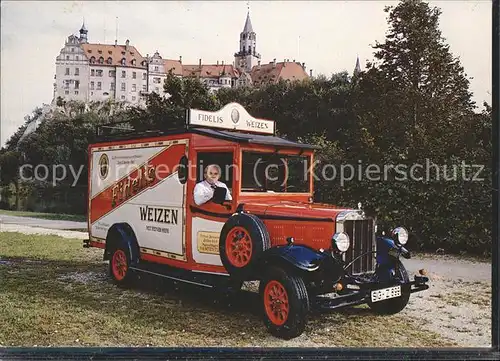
(362, 295)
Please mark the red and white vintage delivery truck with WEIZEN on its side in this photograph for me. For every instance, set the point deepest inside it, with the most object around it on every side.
(262, 225)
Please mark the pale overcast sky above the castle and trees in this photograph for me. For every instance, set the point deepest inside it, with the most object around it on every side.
(326, 35)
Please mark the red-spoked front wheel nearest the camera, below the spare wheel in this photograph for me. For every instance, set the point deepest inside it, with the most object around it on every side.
(286, 303)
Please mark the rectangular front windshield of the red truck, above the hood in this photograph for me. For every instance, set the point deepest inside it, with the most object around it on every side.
(268, 172)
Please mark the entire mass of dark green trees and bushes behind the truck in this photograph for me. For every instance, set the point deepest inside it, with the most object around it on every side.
(411, 106)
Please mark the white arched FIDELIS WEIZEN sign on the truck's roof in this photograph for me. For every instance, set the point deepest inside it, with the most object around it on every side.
(233, 117)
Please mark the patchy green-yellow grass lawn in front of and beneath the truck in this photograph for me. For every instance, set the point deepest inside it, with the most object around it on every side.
(56, 293)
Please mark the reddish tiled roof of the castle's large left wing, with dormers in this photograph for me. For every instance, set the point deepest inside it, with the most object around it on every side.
(113, 54)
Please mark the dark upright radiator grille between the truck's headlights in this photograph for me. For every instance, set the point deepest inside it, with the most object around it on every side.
(362, 236)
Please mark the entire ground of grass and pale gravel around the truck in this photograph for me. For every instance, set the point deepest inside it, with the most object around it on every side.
(67, 300)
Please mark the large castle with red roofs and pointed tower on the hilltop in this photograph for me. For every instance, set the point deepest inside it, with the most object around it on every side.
(96, 72)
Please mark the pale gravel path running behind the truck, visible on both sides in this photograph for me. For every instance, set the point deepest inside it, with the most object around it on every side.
(457, 305)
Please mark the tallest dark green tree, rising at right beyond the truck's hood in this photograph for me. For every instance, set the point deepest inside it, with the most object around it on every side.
(413, 104)
